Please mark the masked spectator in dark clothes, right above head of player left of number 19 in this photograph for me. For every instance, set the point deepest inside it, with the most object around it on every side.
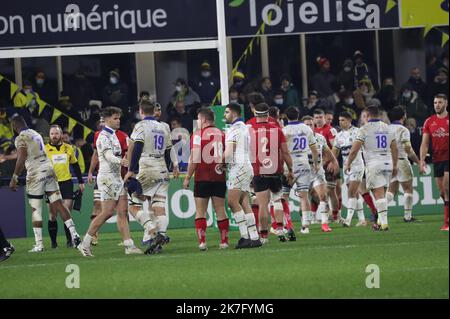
(116, 92)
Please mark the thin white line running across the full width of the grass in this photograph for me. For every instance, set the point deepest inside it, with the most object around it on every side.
(96, 260)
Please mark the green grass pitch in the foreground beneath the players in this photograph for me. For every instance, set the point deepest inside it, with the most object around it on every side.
(413, 260)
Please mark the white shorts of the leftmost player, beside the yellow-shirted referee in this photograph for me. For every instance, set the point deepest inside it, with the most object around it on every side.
(41, 181)
